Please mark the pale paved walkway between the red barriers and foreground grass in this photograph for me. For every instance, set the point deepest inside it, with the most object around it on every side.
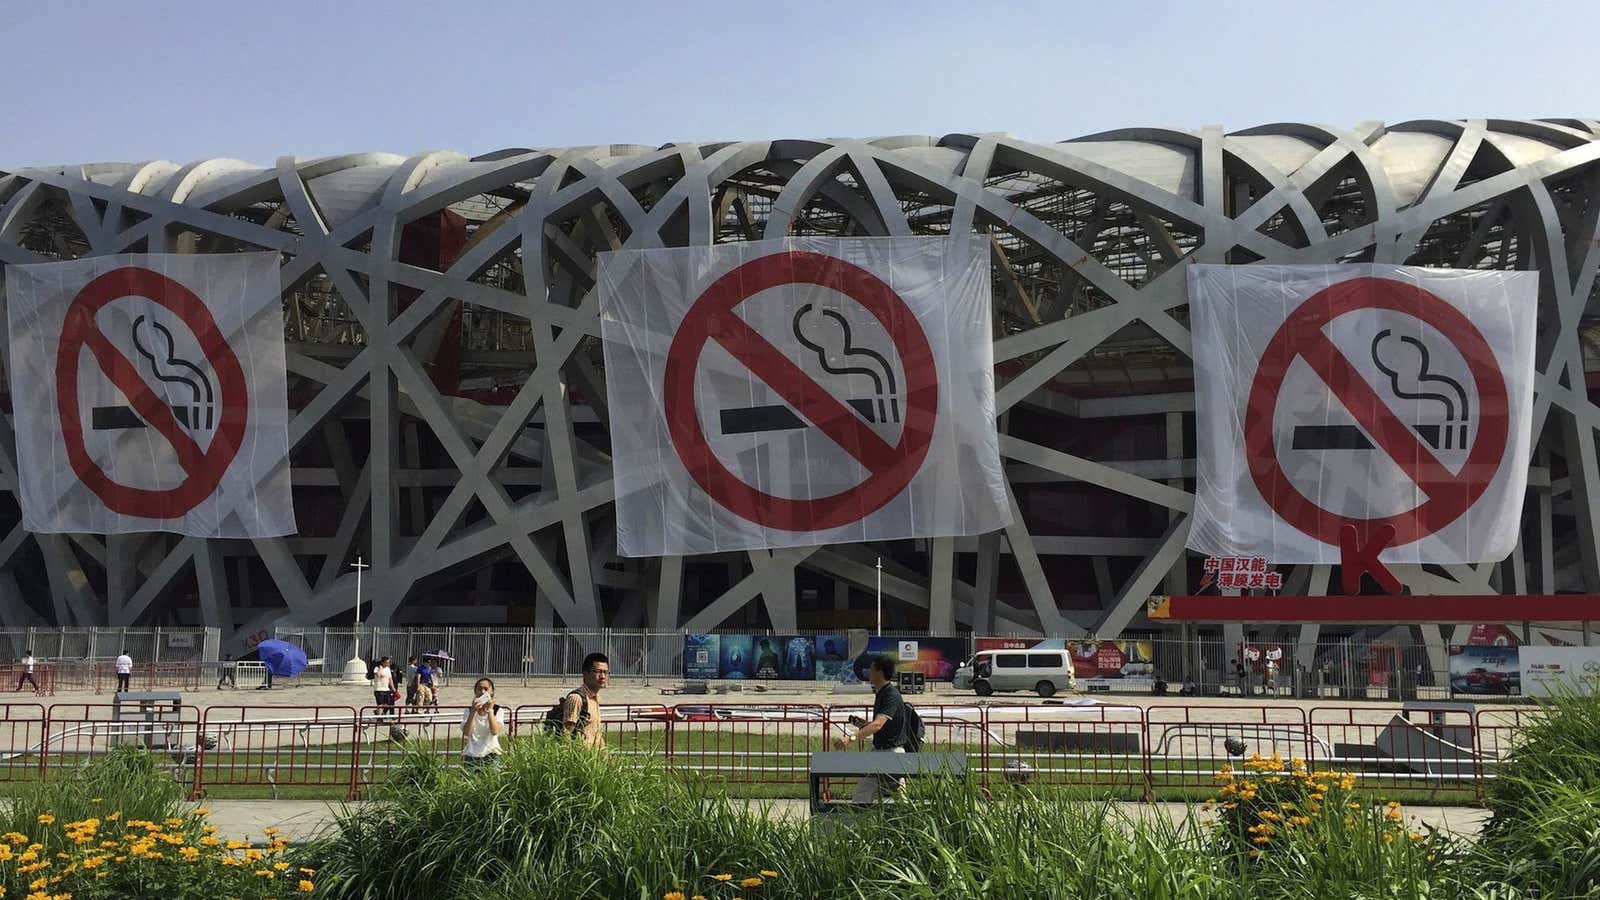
(302, 821)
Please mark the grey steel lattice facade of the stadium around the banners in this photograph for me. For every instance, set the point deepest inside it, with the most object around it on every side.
(449, 396)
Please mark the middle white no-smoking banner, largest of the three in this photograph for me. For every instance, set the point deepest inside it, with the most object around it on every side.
(802, 392)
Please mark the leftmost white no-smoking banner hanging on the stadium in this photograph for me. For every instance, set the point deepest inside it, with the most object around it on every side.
(151, 395)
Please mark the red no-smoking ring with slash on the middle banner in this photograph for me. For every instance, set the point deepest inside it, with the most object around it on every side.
(713, 318)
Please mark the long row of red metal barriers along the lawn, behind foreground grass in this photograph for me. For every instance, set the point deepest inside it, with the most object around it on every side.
(1159, 752)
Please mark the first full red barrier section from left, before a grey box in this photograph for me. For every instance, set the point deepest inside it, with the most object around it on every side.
(79, 733)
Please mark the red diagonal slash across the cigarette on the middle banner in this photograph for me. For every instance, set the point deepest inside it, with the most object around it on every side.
(802, 392)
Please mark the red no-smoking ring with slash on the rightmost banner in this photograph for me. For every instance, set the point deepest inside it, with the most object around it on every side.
(1302, 335)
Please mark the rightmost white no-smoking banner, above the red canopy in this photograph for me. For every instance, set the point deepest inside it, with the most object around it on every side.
(1369, 396)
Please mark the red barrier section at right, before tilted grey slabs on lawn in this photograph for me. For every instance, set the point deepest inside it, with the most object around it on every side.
(1426, 750)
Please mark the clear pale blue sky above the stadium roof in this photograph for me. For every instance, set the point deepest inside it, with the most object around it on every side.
(118, 81)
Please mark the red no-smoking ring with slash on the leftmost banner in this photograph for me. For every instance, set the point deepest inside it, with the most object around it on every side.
(202, 470)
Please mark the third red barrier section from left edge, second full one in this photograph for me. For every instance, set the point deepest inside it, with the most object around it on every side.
(278, 747)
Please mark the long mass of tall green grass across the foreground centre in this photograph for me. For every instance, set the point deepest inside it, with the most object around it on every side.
(556, 821)
